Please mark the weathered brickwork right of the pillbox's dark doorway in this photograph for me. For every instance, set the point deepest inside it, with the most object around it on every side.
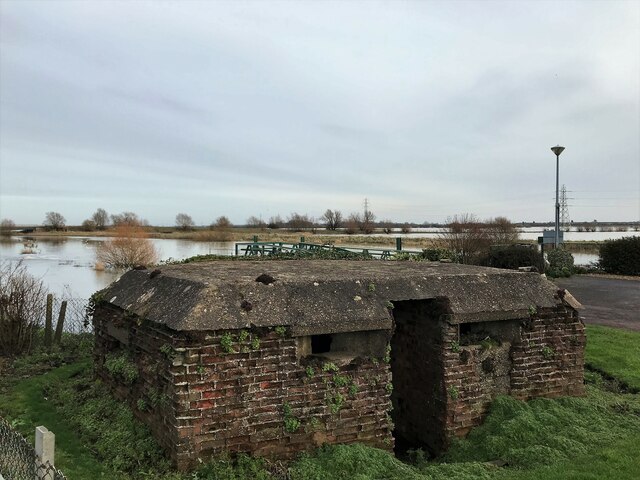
(545, 359)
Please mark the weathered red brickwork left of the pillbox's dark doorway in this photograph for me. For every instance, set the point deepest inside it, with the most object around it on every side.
(229, 391)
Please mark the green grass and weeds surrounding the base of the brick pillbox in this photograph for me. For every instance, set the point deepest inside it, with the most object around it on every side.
(595, 436)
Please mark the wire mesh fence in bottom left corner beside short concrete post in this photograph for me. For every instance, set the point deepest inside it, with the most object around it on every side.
(18, 458)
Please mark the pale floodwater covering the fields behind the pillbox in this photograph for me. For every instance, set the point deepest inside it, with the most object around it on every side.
(66, 264)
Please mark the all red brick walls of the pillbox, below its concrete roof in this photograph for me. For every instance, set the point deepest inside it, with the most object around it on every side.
(200, 400)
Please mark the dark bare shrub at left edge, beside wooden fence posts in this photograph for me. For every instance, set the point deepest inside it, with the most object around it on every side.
(22, 301)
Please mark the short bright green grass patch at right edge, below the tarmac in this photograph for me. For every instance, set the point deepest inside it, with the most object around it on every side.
(615, 352)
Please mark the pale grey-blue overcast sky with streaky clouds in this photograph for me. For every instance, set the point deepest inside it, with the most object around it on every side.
(427, 109)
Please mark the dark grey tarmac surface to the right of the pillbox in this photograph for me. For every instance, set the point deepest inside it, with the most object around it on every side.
(606, 301)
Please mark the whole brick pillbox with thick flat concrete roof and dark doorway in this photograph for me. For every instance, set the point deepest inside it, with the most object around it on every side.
(314, 367)
